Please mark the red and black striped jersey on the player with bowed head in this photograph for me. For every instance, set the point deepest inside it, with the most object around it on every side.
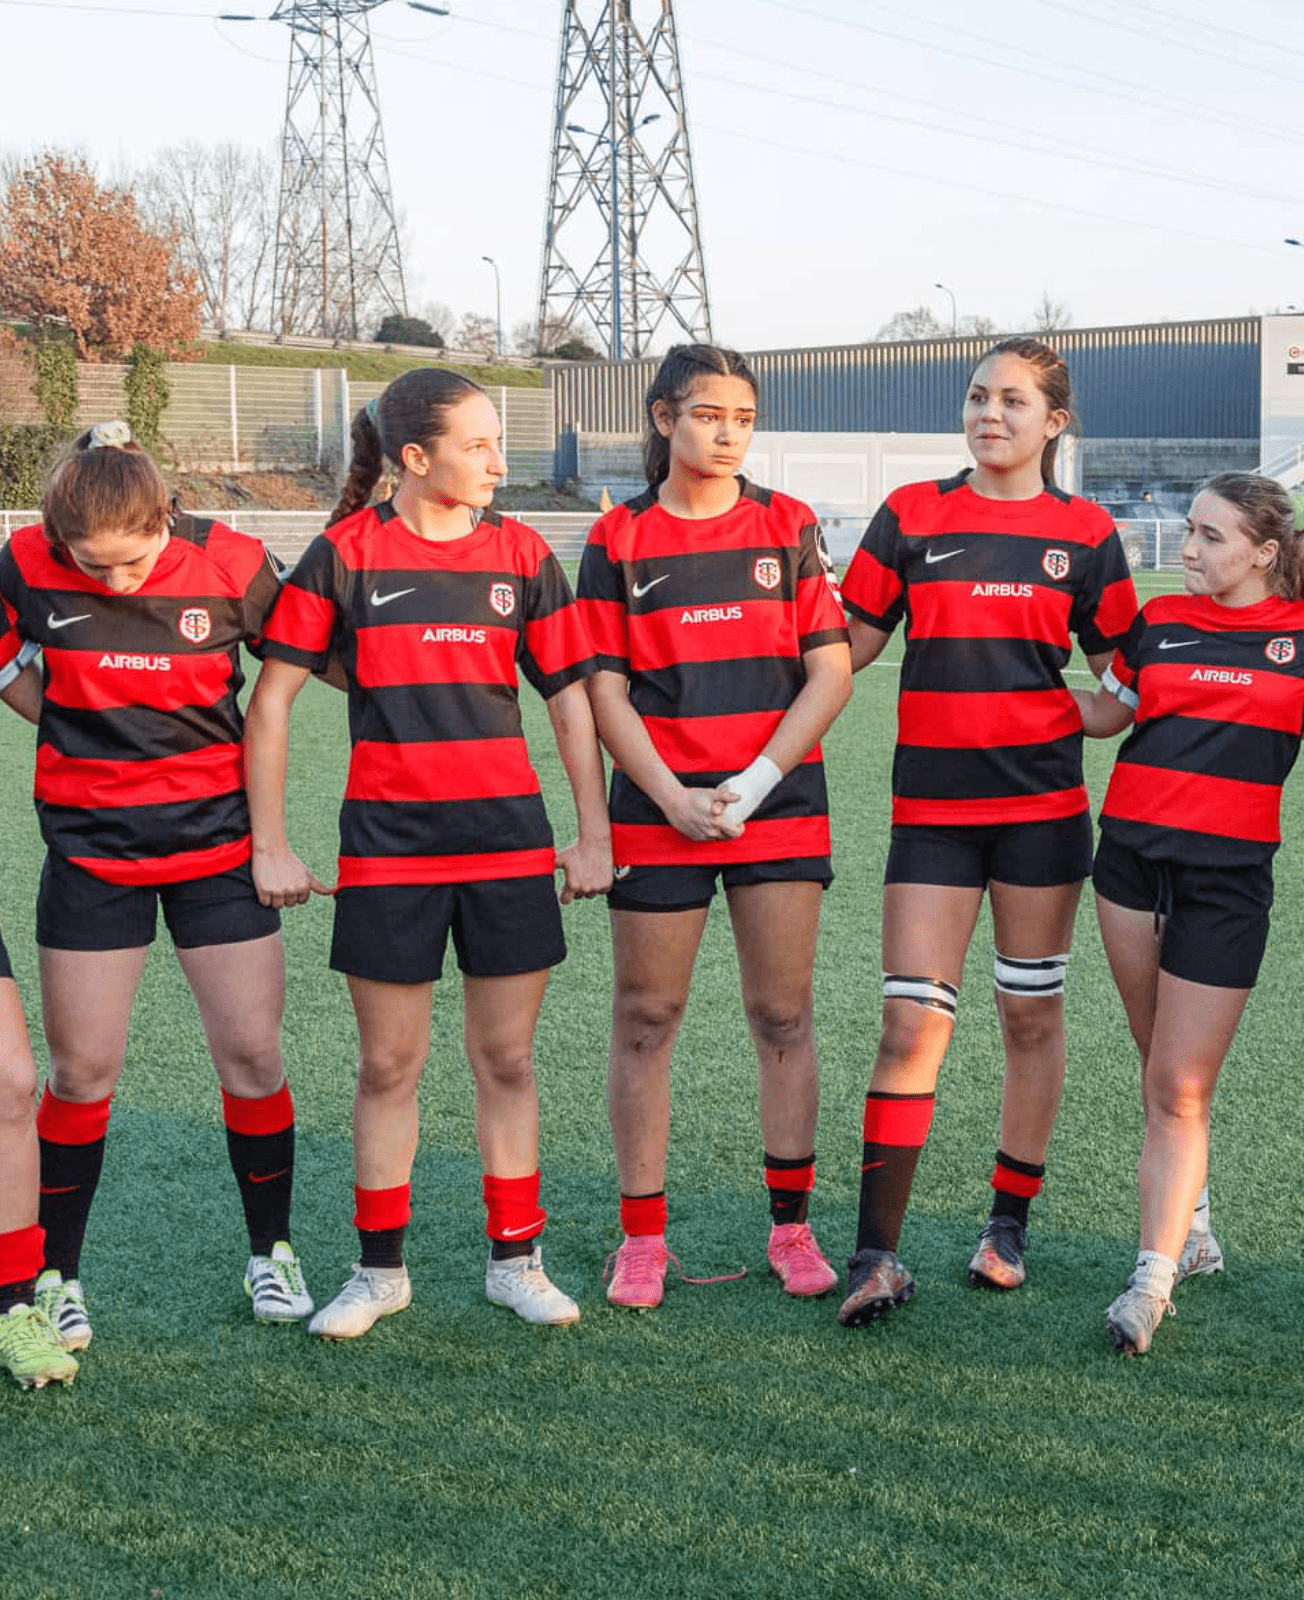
(140, 764)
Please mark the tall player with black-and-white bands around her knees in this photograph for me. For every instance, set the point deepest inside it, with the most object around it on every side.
(994, 572)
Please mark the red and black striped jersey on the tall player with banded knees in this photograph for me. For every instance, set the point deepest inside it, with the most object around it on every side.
(993, 594)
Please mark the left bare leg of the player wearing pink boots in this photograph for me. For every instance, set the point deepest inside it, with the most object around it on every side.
(654, 958)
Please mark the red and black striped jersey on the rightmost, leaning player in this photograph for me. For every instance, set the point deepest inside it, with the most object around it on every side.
(1220, 708)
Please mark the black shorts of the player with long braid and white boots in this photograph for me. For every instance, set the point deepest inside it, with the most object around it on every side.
(396, 934)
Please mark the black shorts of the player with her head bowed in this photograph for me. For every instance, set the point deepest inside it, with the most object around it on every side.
(78, 911)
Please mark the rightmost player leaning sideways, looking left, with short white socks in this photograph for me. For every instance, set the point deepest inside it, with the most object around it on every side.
(1214, 682)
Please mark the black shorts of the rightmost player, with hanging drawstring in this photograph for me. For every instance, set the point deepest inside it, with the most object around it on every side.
(1215, 919)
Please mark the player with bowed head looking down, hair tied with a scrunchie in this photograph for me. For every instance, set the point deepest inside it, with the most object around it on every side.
(140, 615)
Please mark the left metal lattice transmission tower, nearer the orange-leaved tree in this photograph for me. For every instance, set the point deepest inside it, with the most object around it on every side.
(338, 262)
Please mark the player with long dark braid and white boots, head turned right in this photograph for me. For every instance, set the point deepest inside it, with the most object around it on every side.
(433, 606)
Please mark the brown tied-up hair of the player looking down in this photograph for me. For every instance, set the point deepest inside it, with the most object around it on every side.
(105, 486)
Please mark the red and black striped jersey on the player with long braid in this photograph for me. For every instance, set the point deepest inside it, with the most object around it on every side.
(431, 636)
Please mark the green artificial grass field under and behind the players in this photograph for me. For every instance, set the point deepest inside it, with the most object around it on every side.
(734, 1442)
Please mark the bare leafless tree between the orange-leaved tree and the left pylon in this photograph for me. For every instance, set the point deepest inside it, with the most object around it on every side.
(222, 202)
